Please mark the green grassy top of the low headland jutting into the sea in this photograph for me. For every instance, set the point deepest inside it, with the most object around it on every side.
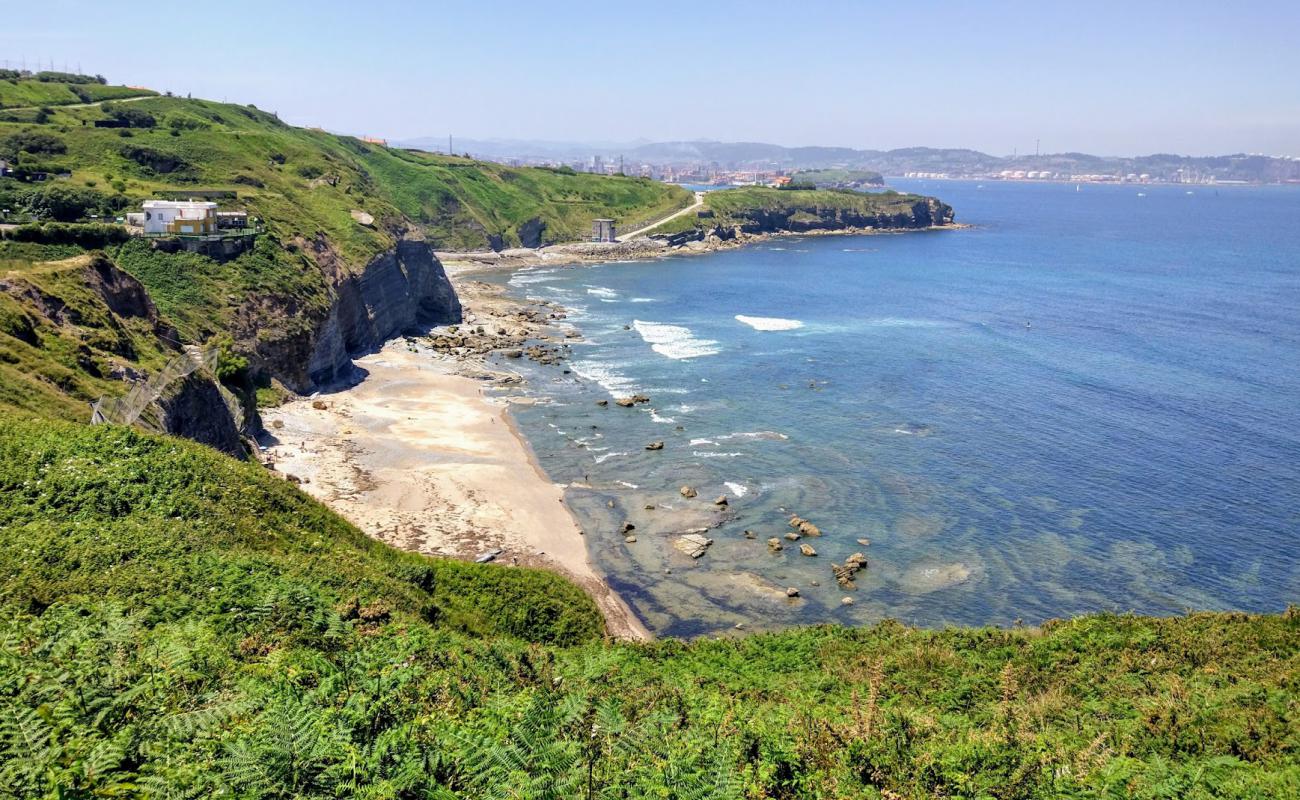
(734, 205)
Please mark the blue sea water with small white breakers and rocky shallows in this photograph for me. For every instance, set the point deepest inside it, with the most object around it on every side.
(1089, 401)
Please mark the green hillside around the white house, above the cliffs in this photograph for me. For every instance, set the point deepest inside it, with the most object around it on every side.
(328, 205)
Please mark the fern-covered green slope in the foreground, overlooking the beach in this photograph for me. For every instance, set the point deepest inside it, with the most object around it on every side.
(177, 620)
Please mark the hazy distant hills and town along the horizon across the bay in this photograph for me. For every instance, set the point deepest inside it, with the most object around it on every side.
(951, 162)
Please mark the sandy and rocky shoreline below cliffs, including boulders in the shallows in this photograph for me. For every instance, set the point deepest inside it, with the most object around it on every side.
(402, 492)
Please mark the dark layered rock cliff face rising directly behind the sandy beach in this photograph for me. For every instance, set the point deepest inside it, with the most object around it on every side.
(397, 292)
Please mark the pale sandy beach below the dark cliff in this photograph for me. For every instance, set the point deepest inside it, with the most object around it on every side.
(419, 459)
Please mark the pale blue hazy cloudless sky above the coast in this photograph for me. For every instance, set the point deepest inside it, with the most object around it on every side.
(1113, 79)
